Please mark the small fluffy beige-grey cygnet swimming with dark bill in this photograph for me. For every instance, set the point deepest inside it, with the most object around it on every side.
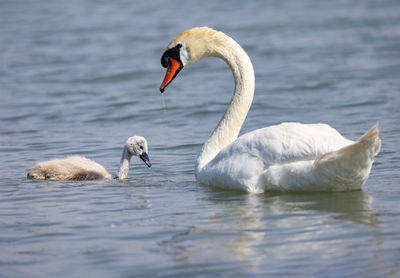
(81, 168)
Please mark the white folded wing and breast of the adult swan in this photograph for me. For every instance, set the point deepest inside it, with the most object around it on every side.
(242, 164)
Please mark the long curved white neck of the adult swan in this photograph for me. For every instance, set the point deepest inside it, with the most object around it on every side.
(229, 126)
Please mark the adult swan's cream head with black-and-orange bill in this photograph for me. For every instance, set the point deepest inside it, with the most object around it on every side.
(187, 48)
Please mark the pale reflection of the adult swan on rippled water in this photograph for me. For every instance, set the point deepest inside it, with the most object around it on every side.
(254, 227)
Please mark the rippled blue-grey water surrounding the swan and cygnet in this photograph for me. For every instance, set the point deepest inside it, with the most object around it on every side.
(79, 77)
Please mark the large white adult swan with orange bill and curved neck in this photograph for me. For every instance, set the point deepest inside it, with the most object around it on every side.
(285, 157)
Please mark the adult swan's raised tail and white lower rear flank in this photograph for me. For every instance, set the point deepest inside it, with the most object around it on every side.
(345, 169)
